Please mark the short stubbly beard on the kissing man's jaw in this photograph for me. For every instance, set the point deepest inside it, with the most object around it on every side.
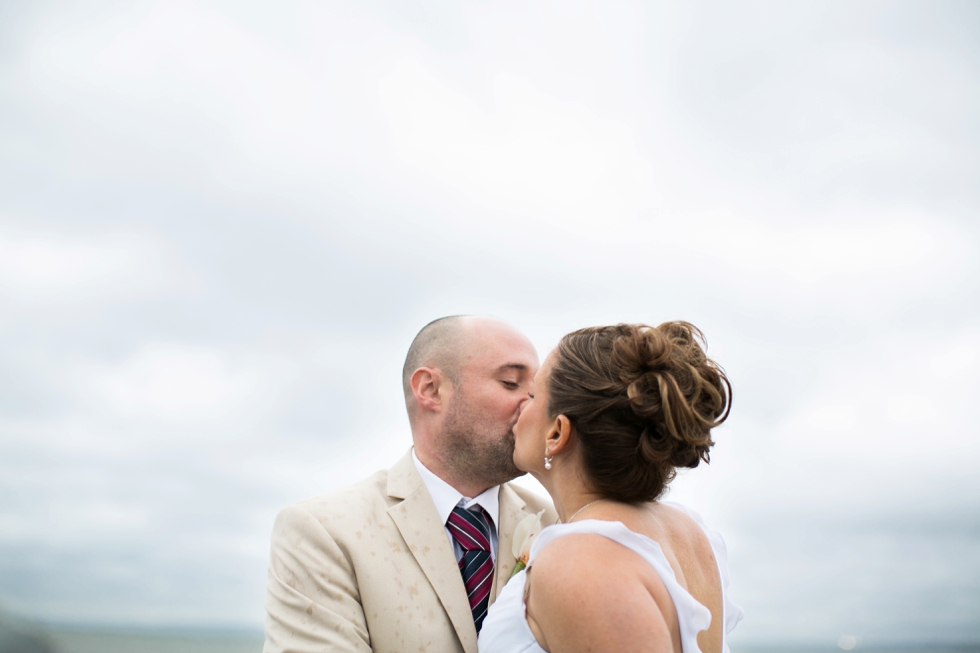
(476, 448)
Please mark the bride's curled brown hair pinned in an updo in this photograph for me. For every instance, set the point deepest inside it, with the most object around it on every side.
(642, 402)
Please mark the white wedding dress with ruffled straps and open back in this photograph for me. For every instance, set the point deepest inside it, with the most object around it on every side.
(505, 628)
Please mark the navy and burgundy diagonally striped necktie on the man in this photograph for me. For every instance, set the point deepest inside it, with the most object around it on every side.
(471, 528)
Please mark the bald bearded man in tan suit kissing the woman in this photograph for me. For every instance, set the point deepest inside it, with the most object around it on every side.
(409, 559)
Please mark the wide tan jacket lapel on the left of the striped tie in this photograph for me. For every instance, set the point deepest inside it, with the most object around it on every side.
(420, 527)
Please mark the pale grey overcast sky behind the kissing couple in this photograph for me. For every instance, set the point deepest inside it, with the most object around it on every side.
(222, 224)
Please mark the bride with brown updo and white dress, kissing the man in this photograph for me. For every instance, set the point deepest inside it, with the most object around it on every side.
(615, 411)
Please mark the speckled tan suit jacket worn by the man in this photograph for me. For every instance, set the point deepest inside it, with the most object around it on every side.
(369, 567)
